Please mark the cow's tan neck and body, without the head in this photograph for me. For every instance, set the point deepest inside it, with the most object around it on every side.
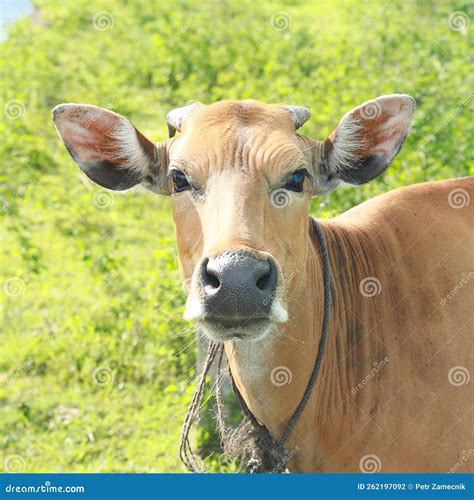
(408, 415)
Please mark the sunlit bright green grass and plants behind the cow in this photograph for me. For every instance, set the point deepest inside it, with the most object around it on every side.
(96, 365)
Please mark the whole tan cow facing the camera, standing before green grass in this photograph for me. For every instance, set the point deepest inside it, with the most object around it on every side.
(393, 393)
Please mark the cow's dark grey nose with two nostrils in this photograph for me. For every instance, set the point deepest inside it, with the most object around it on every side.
(238, 285)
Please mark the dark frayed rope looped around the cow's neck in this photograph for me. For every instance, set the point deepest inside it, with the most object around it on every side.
(274, 456)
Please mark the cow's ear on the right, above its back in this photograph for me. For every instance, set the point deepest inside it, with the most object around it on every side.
(365, 141)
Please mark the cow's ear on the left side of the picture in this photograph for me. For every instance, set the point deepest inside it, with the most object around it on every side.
(109, 149)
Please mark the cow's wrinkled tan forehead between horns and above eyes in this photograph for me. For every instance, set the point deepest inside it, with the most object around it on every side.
(244, 133)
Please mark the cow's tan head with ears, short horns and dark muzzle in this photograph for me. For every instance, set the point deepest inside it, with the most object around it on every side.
(241, 180)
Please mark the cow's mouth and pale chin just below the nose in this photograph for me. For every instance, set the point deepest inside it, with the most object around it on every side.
(222, 330)
